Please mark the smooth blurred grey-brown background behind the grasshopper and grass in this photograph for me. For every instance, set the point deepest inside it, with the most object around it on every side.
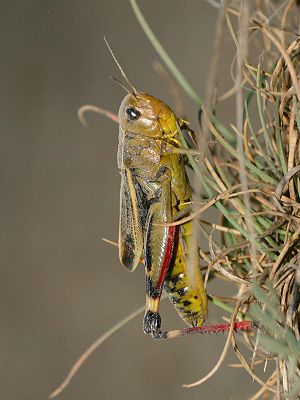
(61, 285)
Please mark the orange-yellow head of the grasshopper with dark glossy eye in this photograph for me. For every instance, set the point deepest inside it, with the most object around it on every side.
(143, 114)
